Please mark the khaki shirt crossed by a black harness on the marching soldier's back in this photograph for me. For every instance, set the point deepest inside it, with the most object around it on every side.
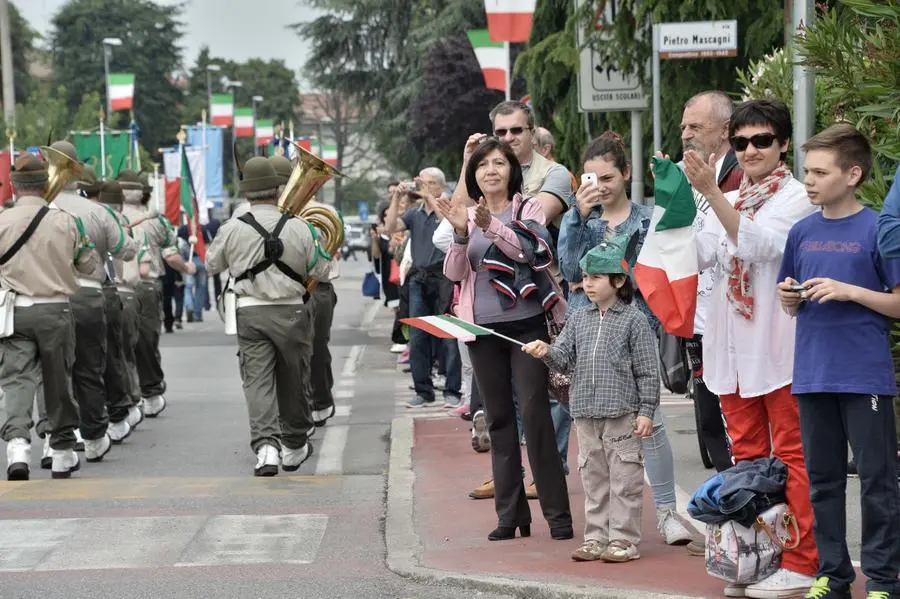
(238, 247)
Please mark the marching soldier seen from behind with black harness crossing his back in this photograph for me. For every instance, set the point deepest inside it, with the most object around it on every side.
(270, 254)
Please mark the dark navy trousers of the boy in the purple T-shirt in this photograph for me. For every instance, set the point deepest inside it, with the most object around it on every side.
(828, 421)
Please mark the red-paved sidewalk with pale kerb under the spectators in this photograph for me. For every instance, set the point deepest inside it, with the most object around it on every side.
(432, 470)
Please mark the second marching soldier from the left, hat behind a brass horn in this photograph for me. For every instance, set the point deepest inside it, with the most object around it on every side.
(99, 426)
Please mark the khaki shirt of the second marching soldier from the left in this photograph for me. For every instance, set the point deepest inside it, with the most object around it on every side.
(102, 227)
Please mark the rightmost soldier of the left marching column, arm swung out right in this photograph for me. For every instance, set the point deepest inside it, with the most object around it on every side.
(158, 240)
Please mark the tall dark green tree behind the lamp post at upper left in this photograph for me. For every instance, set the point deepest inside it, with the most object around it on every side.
(150, 34)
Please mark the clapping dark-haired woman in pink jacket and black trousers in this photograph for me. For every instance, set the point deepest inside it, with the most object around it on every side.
(482, 236)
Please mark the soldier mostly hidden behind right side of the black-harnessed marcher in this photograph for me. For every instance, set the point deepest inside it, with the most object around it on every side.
(322, 302)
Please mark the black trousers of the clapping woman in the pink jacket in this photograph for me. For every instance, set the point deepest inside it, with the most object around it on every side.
(499, 368)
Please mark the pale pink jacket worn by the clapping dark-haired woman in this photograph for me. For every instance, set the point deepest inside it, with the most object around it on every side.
(458, 269)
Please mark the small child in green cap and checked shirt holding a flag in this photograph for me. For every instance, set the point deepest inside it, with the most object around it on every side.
(615, 391)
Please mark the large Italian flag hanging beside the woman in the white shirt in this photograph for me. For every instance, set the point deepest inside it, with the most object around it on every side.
(666, 269)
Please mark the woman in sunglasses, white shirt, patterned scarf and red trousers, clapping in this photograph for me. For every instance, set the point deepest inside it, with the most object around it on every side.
(748, 349)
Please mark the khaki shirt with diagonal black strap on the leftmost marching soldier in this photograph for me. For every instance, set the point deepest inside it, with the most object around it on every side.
(46, 265)
